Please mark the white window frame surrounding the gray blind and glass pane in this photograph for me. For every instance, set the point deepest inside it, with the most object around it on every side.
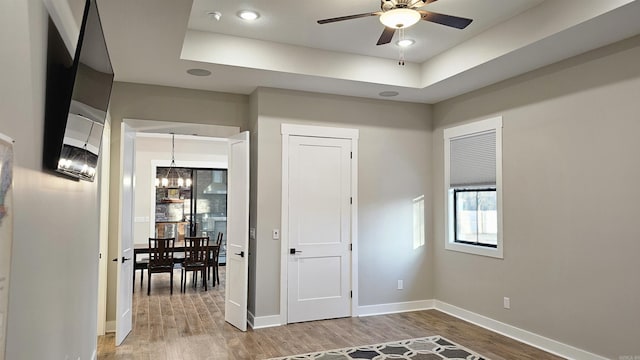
(488, 125)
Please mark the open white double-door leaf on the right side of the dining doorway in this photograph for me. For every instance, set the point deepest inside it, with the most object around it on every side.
(237, 232)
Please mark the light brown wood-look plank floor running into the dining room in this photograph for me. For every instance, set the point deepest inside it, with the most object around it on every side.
(191, 326)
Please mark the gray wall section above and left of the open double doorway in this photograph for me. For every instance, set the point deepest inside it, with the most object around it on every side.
(149, 102)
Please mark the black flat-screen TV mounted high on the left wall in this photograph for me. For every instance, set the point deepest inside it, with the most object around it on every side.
(77, 96)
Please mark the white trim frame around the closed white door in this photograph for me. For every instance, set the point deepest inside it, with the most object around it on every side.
(288, 130)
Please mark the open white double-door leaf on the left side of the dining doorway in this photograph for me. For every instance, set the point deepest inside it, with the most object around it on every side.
(125, 250)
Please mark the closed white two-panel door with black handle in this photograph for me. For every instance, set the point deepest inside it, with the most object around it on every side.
(319, 228)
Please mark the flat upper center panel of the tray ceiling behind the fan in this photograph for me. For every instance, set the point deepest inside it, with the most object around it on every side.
(295, 23)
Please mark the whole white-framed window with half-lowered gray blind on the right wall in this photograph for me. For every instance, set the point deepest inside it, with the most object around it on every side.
(473, 157)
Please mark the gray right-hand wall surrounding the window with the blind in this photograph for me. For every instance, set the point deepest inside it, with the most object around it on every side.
(571, 175)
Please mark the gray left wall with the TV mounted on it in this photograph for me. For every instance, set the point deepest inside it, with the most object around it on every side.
(53, 290)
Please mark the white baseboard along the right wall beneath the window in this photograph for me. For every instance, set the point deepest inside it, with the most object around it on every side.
(524, 336)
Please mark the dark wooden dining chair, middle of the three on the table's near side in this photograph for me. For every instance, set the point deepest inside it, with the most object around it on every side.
(196, 258)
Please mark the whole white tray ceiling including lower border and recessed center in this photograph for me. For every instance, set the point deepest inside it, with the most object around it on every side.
(156, 41)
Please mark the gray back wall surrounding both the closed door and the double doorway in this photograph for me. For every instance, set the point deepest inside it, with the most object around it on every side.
(385, 192)
